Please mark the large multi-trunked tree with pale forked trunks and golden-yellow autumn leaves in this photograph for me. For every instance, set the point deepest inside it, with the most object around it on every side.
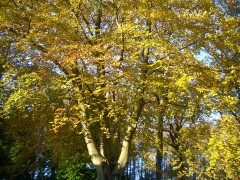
(100, 69)
